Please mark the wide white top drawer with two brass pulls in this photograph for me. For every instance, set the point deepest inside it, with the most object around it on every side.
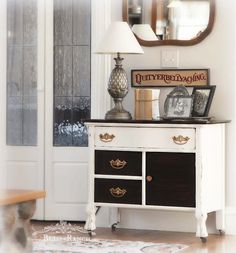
(164, 138)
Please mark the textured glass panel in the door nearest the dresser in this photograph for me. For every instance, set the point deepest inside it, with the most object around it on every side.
(72, 99)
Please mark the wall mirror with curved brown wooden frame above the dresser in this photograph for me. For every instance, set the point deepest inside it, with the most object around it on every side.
(169, 22)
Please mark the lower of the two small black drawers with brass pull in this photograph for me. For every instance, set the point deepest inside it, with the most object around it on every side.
(118, 191)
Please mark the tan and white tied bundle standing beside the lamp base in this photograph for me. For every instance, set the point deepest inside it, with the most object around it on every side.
(147, 104)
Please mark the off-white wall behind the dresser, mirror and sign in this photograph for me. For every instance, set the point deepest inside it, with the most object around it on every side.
(218, 53)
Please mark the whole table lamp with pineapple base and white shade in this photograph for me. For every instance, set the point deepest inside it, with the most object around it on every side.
(118, 39)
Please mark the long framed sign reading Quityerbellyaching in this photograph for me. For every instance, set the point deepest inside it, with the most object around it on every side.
(169, 77)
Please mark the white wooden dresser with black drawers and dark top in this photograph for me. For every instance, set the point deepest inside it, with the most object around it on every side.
(158, 165)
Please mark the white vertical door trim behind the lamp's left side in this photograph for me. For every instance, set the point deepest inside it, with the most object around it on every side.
(100, 64)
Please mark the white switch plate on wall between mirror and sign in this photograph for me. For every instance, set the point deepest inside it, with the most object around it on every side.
(170, 58)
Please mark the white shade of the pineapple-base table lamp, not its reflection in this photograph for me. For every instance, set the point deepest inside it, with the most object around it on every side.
(119, 39)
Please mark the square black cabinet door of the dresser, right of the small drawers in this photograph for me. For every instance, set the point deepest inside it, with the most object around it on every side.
(173, 179)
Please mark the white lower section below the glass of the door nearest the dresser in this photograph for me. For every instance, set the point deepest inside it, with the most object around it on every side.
(66, 183)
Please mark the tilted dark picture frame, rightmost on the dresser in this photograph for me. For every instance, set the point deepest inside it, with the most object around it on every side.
(202, 100)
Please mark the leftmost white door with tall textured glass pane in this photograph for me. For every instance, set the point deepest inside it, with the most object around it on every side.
(22, 22)
